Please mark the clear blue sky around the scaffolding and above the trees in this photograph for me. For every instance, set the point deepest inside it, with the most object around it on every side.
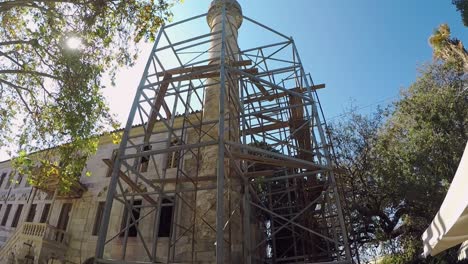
(365, 51)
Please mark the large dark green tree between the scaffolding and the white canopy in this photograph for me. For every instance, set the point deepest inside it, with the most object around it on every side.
(400, 164)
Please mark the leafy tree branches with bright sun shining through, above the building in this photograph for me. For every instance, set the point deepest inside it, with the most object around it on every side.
(54, 55)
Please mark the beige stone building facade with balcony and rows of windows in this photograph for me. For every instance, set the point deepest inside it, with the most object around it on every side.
(42, 230)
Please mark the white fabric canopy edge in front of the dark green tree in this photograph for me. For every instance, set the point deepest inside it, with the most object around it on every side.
(450, 226)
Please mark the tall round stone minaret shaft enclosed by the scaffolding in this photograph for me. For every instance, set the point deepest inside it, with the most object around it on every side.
(204, 235)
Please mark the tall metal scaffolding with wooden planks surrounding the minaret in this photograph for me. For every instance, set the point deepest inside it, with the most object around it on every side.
(268, 195)
